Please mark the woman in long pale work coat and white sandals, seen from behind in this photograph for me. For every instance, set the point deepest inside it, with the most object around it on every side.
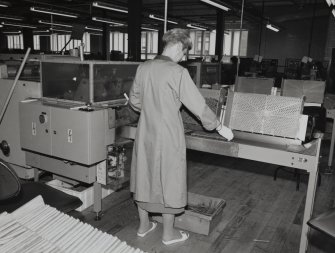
(158, 169)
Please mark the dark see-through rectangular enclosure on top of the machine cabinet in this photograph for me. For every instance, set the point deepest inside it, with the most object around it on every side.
(83, 82)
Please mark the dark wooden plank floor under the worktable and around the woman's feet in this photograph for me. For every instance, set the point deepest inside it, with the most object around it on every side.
(261, 215)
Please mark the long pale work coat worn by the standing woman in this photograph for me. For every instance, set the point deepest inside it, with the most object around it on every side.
(158, 169)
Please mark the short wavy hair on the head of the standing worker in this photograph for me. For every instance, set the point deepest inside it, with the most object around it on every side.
(177, 35)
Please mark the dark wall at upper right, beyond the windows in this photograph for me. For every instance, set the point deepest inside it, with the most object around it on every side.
(292, 41)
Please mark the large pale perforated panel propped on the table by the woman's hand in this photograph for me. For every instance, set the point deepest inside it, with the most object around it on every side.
(264, 114)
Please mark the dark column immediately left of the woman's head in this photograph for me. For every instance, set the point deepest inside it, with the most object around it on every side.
(134, 30)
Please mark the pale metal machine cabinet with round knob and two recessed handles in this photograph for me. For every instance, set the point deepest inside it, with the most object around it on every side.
(67, 133)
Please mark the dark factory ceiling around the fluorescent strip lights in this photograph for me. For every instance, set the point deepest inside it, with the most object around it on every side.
(181, 11)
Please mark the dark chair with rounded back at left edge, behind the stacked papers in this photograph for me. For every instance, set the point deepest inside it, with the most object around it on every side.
(14, 194)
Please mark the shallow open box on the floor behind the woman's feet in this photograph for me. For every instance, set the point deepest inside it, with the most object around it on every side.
(195, 218)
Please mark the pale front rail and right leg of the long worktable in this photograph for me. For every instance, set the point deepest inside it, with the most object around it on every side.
(294, 157)
